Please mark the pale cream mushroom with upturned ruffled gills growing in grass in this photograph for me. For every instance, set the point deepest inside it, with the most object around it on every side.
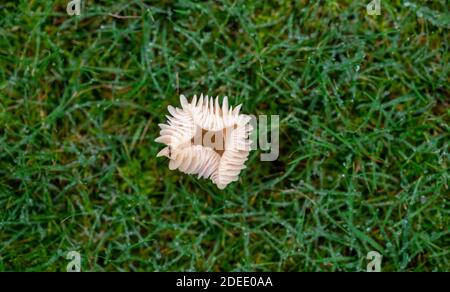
(206, 139)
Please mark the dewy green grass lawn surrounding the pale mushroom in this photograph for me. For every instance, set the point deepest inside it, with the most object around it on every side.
(364, 135)
